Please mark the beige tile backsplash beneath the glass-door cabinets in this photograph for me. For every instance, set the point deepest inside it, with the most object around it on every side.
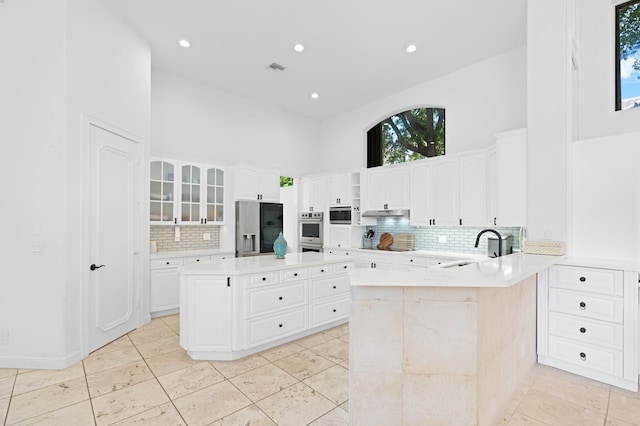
(191, 237)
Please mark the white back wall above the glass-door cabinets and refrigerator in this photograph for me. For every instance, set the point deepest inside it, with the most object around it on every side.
(199, 122)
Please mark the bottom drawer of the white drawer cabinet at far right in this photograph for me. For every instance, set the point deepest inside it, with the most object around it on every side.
(606, 360)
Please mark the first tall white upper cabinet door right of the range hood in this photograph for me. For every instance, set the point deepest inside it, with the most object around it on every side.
(421, 193)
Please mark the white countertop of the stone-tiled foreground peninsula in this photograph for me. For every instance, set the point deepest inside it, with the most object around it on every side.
(503, 271)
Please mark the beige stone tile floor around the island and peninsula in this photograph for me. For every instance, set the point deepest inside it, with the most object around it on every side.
(146, 378)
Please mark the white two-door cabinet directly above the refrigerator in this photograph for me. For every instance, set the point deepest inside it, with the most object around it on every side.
(251, 183)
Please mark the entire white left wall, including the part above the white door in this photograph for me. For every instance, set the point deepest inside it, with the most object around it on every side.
(60, 58)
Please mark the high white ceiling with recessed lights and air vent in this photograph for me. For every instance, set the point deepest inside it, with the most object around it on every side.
(354, 49)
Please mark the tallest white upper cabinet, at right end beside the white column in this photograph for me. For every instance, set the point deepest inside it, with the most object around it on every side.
(507, 175)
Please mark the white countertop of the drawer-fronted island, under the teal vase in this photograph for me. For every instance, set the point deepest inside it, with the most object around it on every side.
(257, 264)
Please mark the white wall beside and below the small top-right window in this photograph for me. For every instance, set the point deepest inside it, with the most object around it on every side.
(596, 40)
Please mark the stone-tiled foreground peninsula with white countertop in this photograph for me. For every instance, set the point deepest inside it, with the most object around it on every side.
(442, 346)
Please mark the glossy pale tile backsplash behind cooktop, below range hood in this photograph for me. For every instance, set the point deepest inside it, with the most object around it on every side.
(458, 239)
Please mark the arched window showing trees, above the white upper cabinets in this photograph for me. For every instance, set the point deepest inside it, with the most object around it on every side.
(406, 136)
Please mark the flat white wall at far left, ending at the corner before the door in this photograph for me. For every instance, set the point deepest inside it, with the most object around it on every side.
(33, 137)
